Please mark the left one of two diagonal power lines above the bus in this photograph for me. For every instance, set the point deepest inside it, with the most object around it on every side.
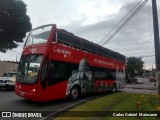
(120, 22)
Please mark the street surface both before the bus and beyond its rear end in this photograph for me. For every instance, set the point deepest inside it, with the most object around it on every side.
(11, 102)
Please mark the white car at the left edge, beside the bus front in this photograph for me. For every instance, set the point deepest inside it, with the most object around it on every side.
(8, 81)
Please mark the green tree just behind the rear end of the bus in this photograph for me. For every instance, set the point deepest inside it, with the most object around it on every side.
(134, 66)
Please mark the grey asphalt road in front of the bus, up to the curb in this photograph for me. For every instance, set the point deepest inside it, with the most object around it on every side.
(12, 103)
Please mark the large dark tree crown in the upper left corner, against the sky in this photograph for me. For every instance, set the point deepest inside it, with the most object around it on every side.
(14, 23)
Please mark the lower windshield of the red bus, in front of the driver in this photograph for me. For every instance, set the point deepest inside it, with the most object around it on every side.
(28, 69)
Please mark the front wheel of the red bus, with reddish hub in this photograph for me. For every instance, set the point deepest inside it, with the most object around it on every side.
(74, 93)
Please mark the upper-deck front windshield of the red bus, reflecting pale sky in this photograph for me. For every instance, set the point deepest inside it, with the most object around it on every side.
(39, 35)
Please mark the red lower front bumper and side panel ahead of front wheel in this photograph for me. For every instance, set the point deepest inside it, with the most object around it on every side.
(50, 93)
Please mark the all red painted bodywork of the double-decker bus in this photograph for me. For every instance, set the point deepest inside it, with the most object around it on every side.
(53, 51)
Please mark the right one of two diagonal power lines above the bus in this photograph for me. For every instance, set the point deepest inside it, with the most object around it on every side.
(125, 22)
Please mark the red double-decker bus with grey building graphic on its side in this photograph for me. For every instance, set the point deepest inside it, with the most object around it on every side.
(57, 64)
